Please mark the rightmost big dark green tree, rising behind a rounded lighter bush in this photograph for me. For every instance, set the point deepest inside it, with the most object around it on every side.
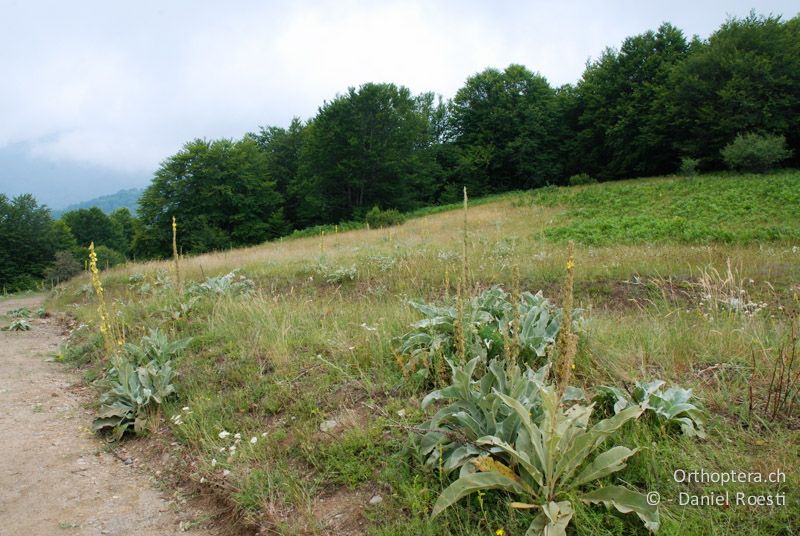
(744, 78)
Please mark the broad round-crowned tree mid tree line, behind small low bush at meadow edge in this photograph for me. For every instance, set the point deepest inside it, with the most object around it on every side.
(365, 148)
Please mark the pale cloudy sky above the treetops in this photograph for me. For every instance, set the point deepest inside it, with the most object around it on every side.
(94, 95)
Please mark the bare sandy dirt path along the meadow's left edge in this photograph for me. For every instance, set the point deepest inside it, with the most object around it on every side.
(55, 476)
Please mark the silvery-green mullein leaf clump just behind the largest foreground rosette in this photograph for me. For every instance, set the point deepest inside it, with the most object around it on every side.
(488, 326)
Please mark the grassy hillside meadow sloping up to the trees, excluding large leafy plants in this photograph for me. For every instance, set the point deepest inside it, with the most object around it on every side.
(656, 262)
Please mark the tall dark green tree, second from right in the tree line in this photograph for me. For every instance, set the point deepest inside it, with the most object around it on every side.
(623, 128)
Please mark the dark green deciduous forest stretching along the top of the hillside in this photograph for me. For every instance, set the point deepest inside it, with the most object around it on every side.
(658, 104)
